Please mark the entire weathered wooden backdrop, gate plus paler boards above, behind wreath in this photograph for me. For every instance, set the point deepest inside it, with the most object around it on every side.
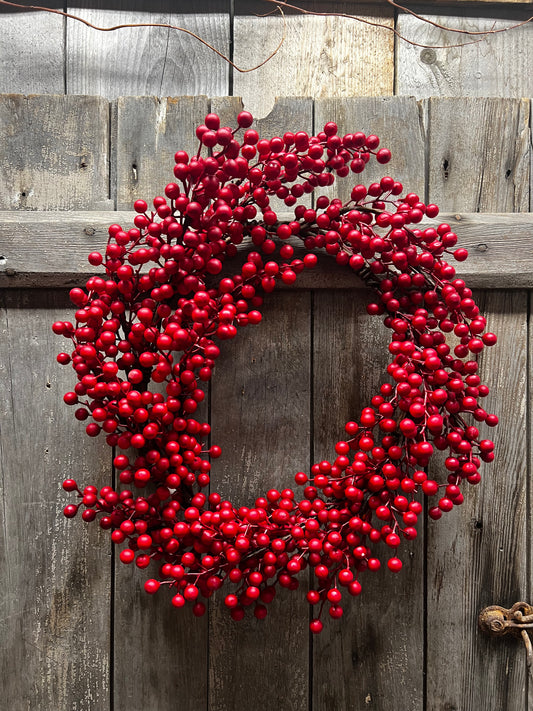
(76, 630)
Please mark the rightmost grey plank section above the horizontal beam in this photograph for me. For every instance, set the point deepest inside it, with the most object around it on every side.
(483, 170)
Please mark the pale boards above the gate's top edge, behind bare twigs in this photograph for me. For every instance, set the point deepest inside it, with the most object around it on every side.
(320, 57)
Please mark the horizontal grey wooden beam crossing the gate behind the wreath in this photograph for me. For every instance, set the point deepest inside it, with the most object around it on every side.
(49, 249)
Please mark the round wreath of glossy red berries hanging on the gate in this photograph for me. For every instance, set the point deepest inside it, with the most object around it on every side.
(147, 337)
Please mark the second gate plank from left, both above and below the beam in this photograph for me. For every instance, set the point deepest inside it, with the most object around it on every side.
(149, 634)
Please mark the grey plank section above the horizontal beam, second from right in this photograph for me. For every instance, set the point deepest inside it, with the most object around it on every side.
(398, 121)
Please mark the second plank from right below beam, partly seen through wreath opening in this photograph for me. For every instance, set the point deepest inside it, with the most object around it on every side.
(377, 648)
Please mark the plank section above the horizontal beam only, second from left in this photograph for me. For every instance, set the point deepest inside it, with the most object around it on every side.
(149, 132)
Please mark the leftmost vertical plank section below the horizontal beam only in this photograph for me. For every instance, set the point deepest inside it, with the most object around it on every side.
(55, 600)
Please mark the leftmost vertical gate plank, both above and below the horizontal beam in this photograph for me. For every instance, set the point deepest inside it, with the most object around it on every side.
(58, 594)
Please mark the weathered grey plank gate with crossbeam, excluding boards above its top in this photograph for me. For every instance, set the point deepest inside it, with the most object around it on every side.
(76, 629)
